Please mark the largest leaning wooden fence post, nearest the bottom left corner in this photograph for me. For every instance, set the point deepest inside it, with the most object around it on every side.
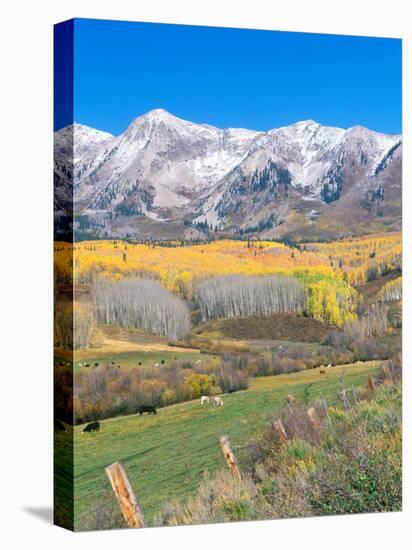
(124, 493)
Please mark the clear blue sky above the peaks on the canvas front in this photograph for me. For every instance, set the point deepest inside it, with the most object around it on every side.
(233, 78)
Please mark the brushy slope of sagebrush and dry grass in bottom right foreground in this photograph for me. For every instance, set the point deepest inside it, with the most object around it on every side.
(351, 464)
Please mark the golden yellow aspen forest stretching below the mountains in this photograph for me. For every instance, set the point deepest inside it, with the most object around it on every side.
(328, 273)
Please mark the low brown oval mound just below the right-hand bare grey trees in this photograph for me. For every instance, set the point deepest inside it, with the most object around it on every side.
(275, 327)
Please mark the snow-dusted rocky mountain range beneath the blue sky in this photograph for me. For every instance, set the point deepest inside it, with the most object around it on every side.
(168, 176)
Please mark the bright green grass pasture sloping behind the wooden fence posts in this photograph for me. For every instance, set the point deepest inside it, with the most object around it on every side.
(165, 455)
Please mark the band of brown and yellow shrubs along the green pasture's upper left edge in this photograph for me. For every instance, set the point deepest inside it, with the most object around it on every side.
(106, 391)
